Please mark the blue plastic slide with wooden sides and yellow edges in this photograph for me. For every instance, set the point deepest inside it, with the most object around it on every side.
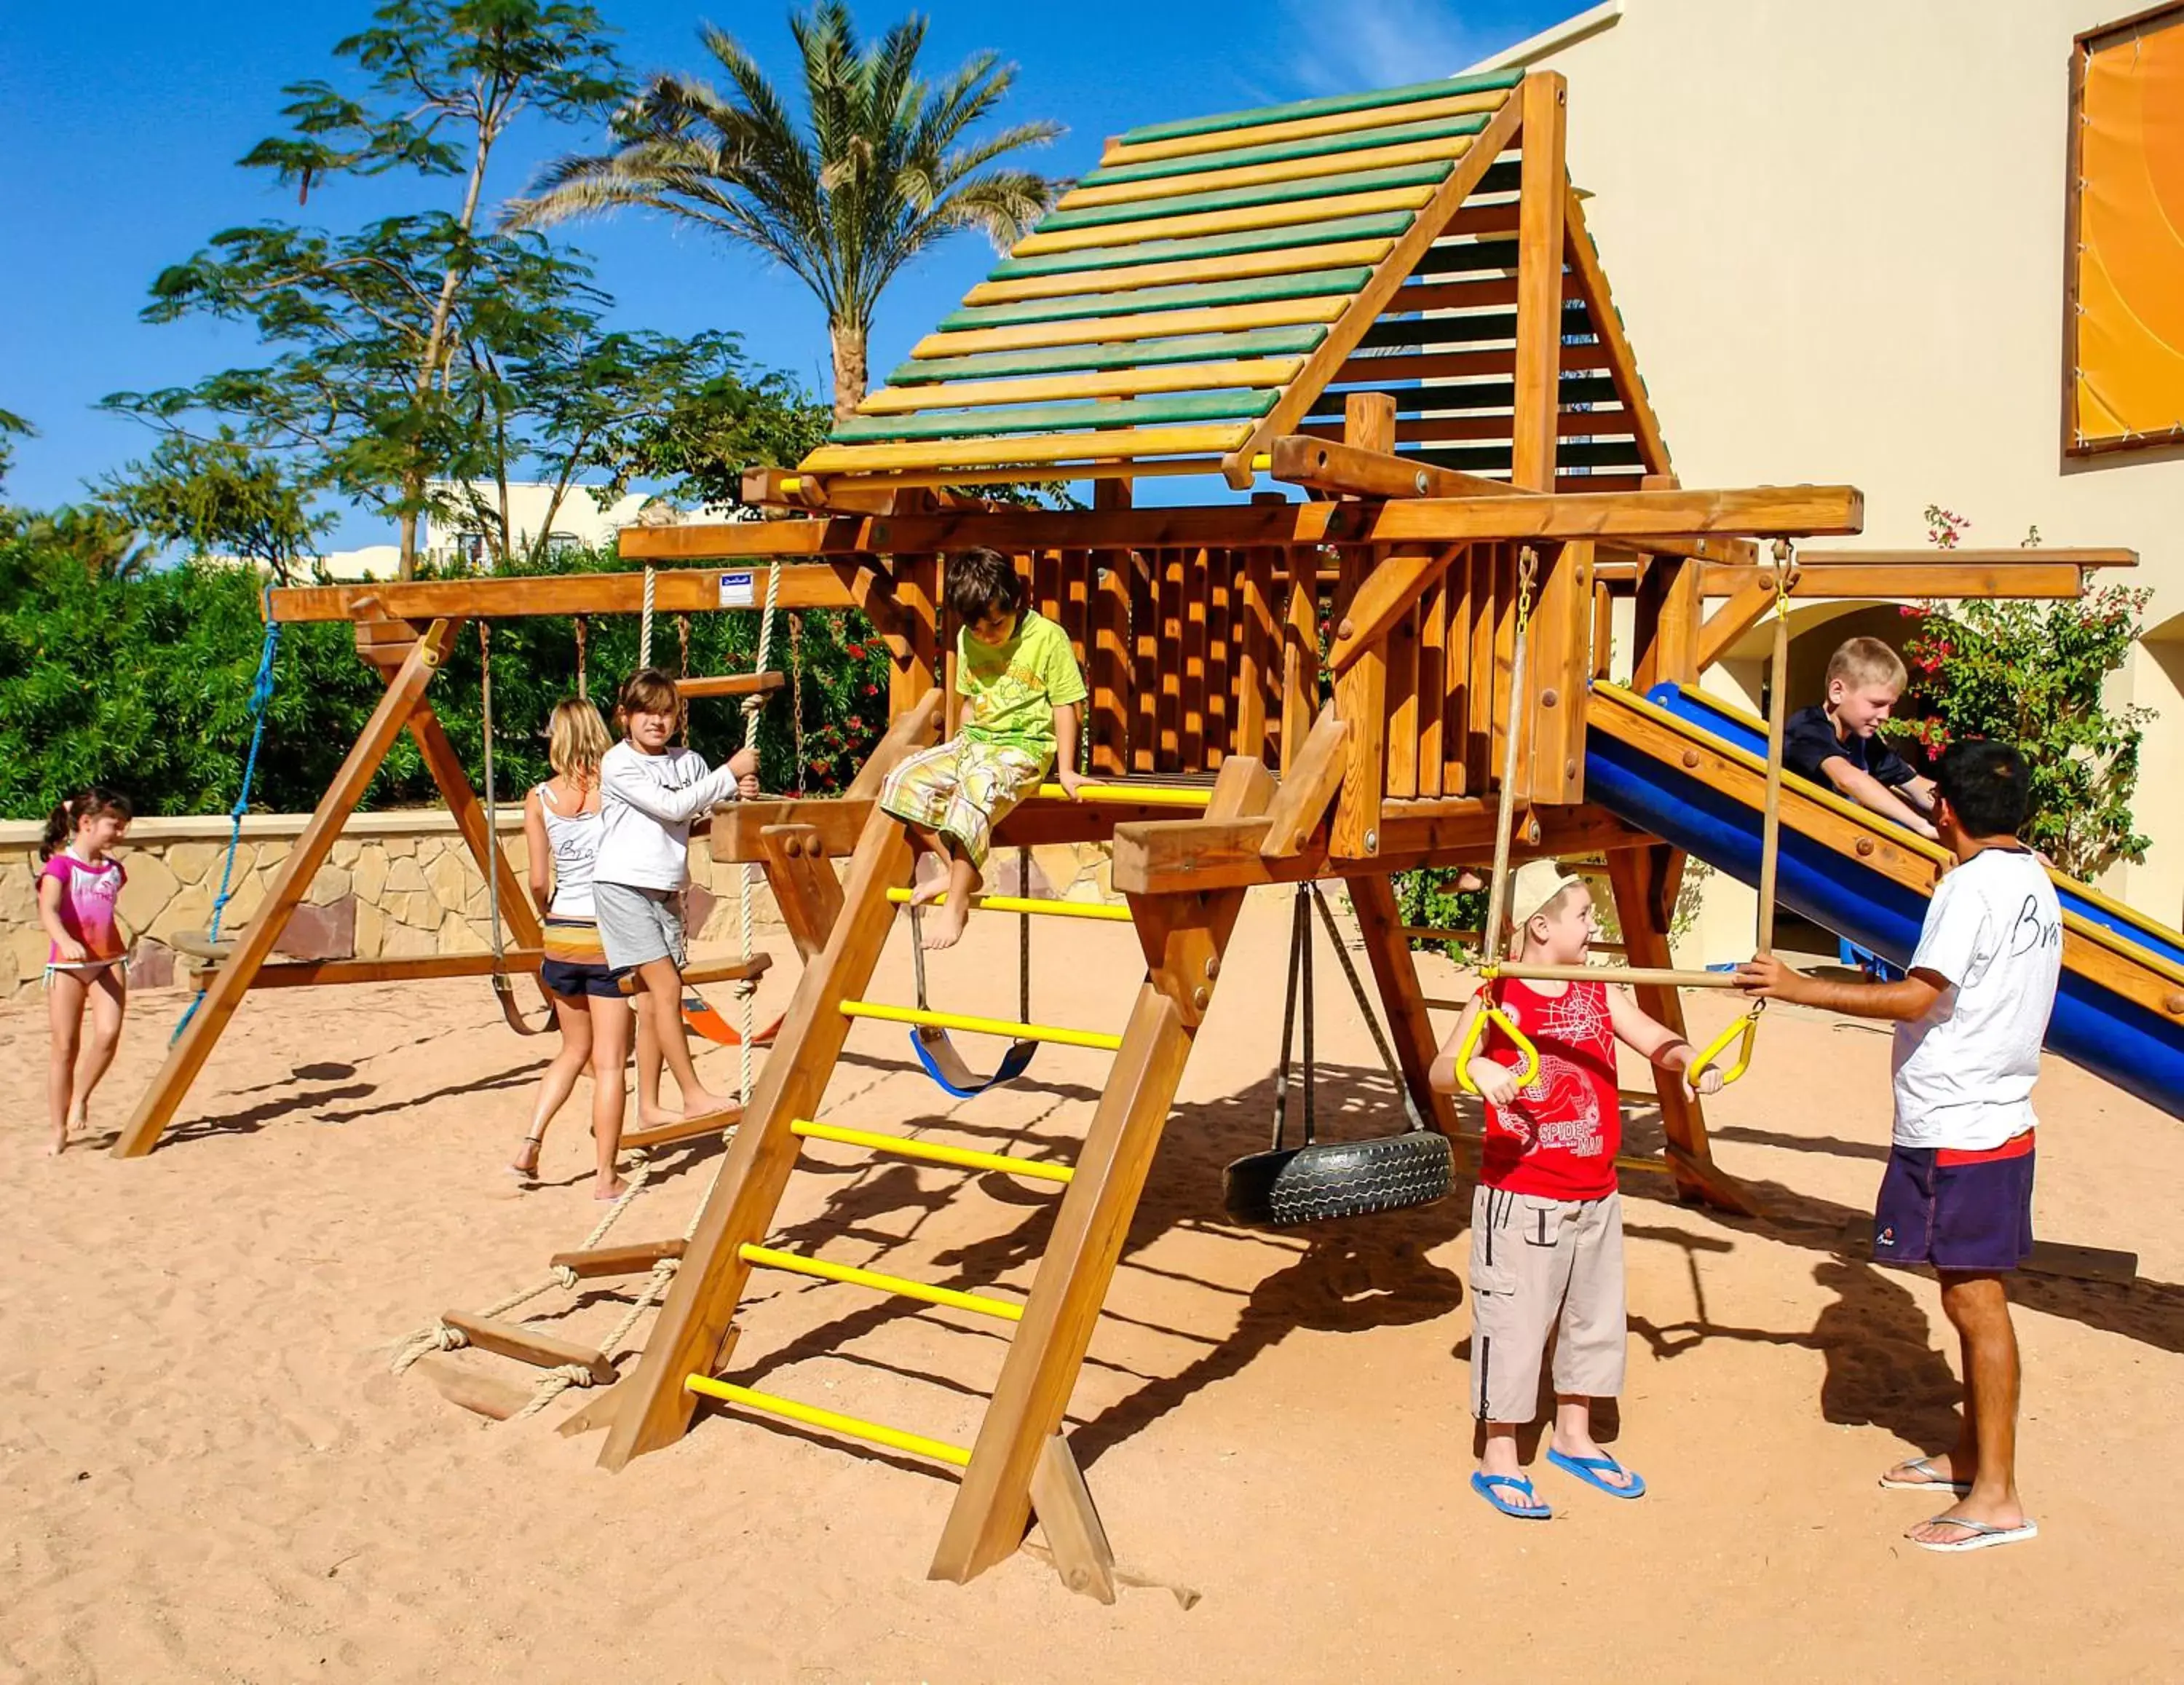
(1692, 770)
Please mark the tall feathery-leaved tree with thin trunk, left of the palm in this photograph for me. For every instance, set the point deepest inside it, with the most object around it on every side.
(375, 327)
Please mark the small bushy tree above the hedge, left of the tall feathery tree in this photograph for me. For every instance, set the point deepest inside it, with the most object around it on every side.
(219, 497)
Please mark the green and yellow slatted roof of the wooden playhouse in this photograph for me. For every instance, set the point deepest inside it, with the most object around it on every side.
(1224, 279)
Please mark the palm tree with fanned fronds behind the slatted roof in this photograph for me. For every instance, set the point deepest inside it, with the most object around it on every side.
(877, 172)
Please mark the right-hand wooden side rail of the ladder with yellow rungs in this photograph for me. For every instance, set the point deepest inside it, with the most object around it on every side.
(1183, 939)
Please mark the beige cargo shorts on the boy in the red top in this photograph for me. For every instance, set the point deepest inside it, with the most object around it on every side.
(1545, 1269)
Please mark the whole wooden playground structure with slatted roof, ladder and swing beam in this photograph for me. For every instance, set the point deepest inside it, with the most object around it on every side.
(1279, 690)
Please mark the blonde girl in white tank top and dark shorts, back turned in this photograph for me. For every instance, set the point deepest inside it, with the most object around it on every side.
(562, 845)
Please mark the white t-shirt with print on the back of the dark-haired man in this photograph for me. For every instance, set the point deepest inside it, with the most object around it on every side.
(1965, 1074)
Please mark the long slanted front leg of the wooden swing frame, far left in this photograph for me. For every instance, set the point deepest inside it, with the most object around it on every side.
(156, 1109)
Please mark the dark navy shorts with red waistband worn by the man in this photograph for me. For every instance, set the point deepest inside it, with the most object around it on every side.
(1962, 1212)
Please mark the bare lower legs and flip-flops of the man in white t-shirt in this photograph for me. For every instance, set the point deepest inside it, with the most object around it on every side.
(1982, 1468)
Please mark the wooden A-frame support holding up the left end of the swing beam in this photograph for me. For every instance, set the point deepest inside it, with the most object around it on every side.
(414, 661)
